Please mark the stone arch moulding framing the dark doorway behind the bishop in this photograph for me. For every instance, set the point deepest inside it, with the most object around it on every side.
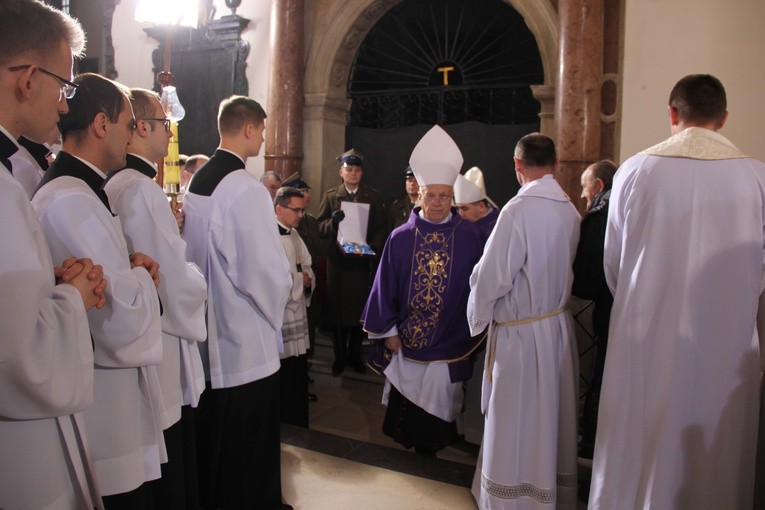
(338, 31)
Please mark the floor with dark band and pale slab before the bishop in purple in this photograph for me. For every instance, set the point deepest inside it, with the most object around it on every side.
(344, 461)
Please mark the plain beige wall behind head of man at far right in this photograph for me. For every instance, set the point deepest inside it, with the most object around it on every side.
(668, 39)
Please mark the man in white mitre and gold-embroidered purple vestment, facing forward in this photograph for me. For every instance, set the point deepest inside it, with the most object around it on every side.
(415, 315)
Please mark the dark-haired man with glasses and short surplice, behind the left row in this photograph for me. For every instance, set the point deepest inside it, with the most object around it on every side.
(293, 374)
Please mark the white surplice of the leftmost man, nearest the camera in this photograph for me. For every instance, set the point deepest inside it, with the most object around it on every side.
(46, 370)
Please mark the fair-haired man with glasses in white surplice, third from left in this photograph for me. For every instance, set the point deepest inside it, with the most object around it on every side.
(149, 227)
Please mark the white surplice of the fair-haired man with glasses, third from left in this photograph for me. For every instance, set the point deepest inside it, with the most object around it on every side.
(150, 227)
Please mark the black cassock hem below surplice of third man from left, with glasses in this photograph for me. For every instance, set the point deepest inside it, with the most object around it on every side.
(178, 487)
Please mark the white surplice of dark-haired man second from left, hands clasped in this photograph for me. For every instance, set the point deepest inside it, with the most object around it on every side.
(123, 428)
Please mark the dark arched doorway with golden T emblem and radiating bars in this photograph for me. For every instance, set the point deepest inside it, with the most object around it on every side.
(465, 66)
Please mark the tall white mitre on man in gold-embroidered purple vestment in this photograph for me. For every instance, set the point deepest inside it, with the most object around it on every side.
(436, 159)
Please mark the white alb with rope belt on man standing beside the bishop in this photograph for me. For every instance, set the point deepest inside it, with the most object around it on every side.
(528, 455)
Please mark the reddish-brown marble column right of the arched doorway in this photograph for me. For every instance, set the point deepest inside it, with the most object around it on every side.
(578, 92)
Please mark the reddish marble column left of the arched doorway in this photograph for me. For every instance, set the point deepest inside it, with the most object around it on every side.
(284, 125)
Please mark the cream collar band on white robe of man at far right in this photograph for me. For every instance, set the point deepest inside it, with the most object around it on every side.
(696, 143)
